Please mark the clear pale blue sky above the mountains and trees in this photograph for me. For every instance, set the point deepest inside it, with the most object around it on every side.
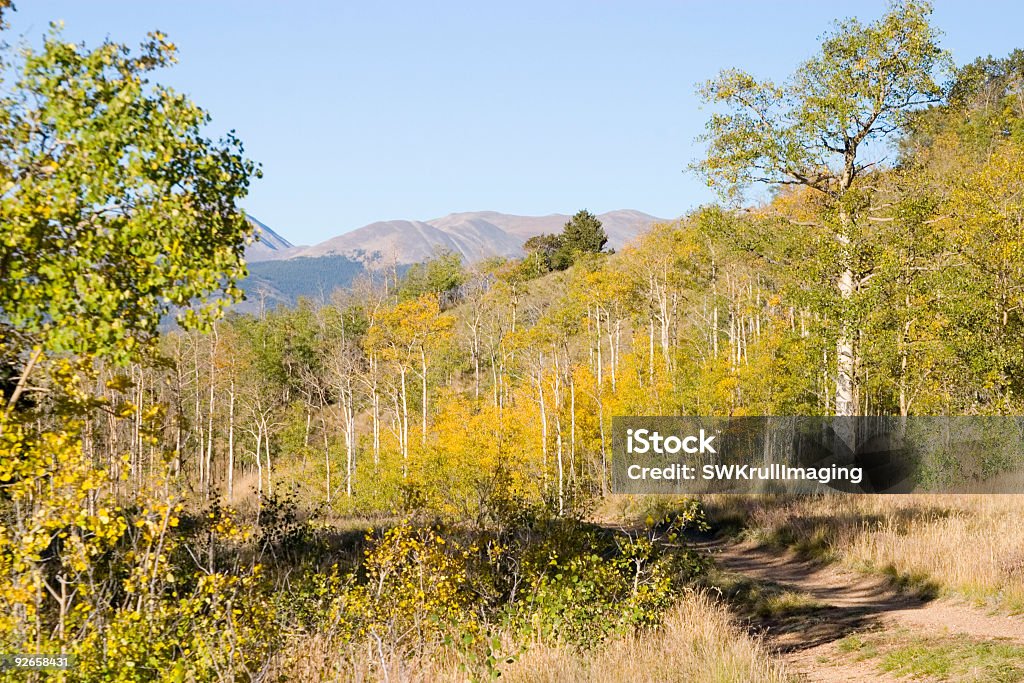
(372, 111)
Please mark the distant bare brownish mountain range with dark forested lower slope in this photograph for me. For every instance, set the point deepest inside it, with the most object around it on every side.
(281, 272)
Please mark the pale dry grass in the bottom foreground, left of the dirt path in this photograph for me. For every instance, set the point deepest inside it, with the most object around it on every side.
(699, 643)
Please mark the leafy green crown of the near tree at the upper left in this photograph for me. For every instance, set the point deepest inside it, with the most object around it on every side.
(94, 155)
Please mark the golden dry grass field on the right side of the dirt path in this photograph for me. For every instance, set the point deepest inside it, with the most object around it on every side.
(972, 545)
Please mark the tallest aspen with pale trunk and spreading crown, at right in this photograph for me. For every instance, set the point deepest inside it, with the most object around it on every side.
(814, 131)
